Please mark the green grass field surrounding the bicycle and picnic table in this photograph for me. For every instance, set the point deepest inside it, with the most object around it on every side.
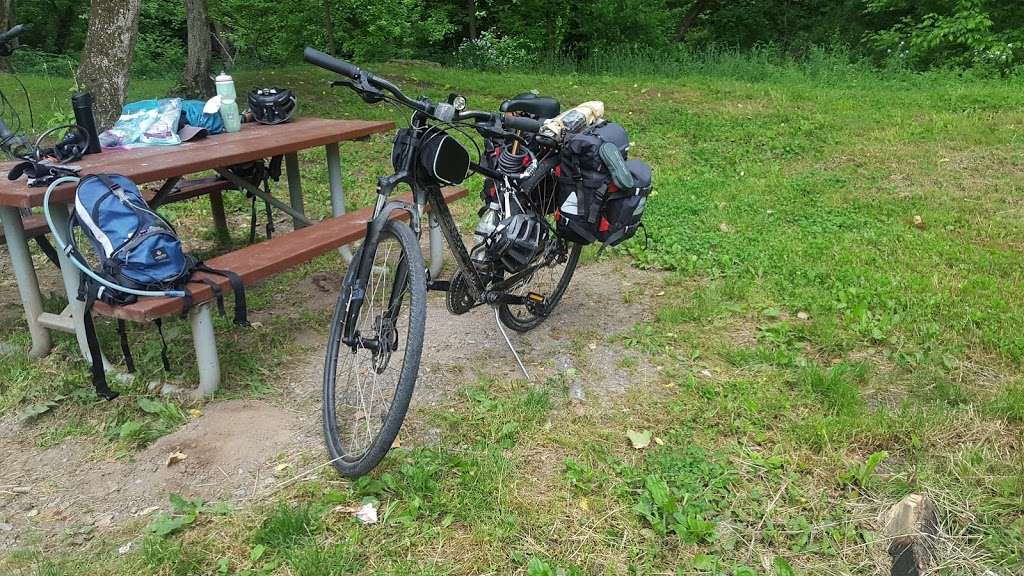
(843, 324)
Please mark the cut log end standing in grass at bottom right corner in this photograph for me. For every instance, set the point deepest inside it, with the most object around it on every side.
(913, 529)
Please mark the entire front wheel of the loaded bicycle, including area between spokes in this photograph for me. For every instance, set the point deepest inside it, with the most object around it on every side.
(368, 383)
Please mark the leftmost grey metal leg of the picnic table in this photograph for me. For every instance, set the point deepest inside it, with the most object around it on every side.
(28, 283)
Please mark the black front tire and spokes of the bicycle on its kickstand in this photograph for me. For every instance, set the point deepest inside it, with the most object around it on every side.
(348, 465)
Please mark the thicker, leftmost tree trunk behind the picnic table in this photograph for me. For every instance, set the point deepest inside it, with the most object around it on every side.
(106, 60)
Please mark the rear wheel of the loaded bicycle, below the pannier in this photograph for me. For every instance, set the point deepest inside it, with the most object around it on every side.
(550, 281)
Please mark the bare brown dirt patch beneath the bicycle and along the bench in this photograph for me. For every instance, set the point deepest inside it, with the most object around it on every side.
(244, 450)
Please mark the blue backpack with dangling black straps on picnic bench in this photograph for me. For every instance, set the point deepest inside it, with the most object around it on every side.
(137, 250)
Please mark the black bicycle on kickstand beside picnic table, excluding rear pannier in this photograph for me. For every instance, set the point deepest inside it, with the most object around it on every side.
(522, 268)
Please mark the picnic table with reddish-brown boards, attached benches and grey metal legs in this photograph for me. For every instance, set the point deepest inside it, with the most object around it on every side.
(170, 166)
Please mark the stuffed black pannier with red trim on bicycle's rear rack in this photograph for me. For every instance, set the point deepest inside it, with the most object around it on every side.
(606, 194)
